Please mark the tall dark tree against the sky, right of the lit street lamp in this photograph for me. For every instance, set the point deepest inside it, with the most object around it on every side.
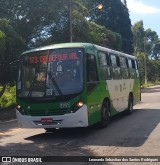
(115, 17)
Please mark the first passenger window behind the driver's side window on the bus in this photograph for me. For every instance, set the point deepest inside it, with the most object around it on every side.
(104, 65)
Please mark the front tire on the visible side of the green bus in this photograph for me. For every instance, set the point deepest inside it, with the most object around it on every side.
(105, 119)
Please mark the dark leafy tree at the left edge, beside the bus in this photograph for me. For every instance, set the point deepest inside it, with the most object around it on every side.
(10, 47)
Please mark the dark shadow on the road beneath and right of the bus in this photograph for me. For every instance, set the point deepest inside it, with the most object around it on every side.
(124, 131)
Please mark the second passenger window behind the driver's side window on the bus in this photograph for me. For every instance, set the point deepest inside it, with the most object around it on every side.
(115, 71)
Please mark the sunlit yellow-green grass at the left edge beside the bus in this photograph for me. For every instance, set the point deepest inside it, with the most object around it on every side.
(8, 99)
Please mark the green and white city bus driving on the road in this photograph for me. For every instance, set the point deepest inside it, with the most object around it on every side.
(73, 85)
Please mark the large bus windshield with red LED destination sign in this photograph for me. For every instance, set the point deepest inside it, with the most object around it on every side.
(51, 73)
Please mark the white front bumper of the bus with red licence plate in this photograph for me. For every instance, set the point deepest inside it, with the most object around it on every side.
(77, 119)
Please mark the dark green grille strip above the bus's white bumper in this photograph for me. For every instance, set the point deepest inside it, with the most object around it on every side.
(50, 112)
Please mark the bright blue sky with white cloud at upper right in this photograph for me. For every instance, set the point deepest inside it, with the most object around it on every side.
(146, 10)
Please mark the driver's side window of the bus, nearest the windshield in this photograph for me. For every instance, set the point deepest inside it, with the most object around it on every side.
(92, 75)
